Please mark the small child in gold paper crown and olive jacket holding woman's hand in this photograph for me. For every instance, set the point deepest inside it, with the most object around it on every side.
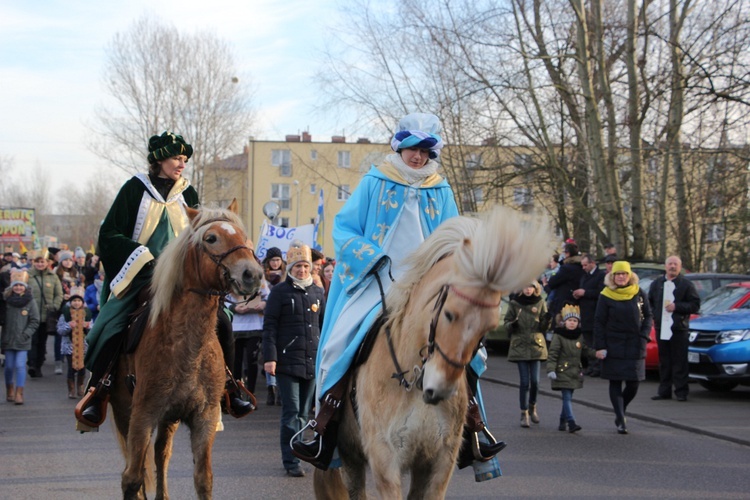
(564, 366)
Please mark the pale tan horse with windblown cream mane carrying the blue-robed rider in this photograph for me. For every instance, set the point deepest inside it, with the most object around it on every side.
(437, 315)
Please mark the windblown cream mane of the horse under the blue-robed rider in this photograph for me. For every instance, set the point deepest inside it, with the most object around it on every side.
(501, 250)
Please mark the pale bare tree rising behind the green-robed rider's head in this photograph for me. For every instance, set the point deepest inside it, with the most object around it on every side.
(160, 79)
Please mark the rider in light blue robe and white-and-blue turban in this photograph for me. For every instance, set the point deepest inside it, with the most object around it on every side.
(396, 206)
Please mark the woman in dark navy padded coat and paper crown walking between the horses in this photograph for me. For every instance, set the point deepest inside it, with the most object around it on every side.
(291, 332)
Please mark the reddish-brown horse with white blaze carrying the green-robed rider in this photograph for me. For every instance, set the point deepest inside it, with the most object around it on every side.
(178, 364)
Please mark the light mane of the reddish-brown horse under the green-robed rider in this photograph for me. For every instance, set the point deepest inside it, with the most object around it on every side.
(168, 280)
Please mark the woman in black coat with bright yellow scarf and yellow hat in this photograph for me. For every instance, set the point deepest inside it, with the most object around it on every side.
(621, 331)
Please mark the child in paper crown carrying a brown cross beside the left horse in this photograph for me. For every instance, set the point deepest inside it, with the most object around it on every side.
(72, 327)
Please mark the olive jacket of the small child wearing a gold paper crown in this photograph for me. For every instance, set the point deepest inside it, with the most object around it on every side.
(564, 359)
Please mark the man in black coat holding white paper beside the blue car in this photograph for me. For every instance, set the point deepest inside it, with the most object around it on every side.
(673, 299)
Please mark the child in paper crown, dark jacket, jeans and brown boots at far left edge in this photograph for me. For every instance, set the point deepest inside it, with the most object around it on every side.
(21, 321)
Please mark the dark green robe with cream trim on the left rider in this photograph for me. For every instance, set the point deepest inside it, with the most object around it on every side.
(138, 226)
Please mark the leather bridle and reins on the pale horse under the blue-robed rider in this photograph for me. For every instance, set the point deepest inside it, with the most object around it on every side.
(432, 344)
